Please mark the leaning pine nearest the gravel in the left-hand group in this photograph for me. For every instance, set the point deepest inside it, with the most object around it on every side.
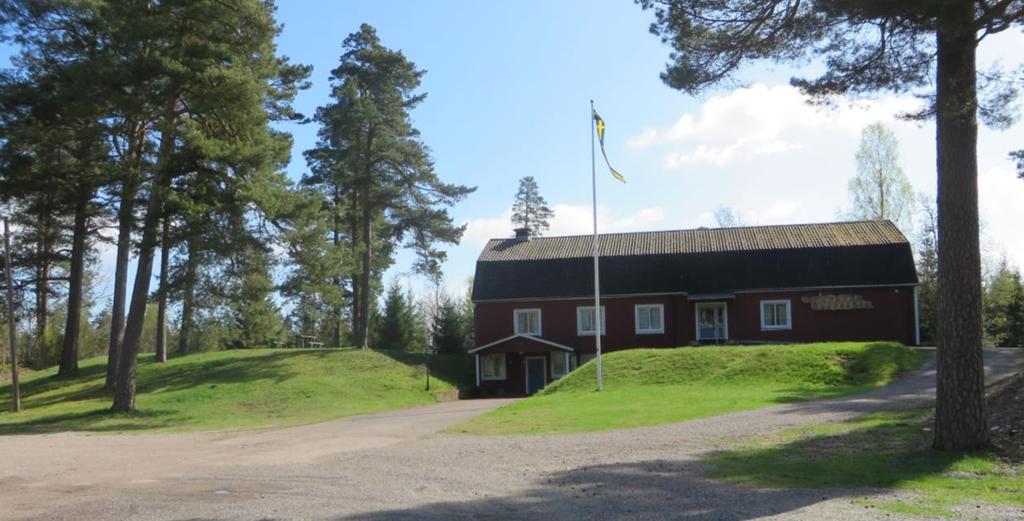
(226, 84)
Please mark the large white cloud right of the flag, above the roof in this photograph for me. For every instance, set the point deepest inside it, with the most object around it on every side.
(761, 120)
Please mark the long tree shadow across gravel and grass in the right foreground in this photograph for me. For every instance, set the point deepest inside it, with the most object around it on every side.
(860, 459)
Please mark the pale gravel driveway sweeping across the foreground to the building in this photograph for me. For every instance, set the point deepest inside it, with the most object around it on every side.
(391, 466)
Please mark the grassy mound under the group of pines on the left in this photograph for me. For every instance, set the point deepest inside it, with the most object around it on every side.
(233, 389)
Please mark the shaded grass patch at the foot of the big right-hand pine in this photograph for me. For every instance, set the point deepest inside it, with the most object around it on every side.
(882, 451)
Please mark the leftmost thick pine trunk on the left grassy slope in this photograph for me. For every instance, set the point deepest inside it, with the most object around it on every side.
(69, 350)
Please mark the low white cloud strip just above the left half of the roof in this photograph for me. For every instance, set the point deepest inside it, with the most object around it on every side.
(569, 221)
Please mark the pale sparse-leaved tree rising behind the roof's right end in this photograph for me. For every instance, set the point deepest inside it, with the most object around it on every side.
(881, 190)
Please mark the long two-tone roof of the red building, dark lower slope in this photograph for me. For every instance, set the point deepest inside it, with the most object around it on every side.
(704, 260)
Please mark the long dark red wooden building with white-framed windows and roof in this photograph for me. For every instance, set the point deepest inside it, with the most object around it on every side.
(802, 283)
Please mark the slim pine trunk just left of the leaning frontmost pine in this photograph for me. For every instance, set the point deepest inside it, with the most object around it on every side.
(126, 222)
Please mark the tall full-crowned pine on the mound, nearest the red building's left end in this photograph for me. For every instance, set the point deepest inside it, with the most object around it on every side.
(382, 170)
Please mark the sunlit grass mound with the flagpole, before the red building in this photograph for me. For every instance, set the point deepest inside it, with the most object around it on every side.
(658, 386)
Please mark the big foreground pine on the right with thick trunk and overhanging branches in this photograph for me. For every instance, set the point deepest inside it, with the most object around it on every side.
(881, 47)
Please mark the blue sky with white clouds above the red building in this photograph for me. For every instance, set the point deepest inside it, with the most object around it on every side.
(509, 89)
